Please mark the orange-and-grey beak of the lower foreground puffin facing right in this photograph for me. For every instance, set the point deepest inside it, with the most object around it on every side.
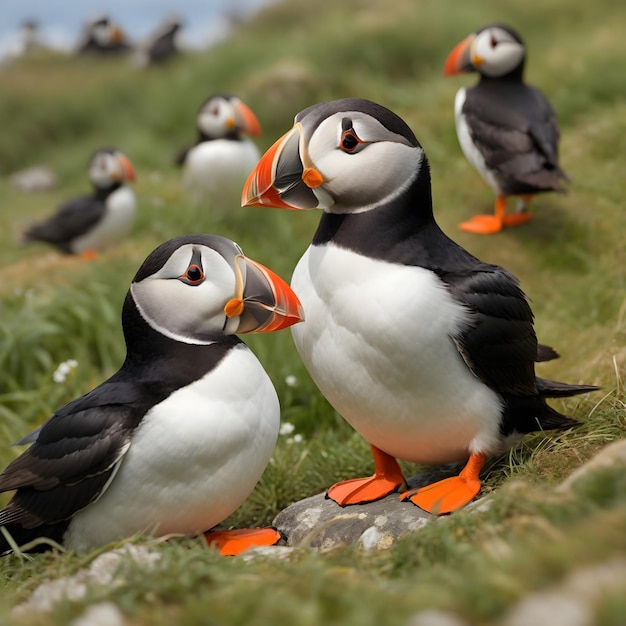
(265, 302)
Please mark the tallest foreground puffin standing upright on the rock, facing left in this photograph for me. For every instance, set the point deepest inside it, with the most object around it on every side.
(428, 352)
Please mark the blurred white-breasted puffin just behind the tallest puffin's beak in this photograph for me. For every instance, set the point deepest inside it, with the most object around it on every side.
(216, 167)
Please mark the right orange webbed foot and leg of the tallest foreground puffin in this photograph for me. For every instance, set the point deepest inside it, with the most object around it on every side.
(449, 494)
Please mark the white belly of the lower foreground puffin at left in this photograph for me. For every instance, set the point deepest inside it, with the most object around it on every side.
(193, 460)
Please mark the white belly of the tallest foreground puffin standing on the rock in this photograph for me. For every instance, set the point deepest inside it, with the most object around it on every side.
(377, 340)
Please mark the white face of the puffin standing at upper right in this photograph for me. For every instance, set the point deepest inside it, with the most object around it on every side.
(495, 52)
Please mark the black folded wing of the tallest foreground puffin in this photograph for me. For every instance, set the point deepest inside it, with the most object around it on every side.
(499, 344)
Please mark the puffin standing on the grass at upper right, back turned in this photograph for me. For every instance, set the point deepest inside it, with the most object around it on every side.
(507, 129)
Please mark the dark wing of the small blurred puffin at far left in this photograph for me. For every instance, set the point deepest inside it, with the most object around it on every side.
(73, 219)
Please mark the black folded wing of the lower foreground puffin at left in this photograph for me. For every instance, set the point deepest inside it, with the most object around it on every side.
(74, 456)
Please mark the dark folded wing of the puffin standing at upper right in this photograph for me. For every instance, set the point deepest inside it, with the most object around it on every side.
(515, 129)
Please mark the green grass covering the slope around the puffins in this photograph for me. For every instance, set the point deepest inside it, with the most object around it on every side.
(570, 259)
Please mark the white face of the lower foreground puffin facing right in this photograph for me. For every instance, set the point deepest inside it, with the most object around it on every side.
(185, 299)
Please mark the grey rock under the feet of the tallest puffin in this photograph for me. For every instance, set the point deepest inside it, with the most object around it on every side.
(321, 523)
